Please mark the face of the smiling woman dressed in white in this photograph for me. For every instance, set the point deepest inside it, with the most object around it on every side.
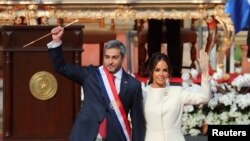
(160, 74)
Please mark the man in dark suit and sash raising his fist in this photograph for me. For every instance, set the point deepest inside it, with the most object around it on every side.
(107, 101)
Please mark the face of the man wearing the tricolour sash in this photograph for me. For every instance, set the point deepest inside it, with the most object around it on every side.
(112, 59)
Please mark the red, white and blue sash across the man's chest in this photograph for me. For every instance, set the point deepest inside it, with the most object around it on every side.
(112, 99)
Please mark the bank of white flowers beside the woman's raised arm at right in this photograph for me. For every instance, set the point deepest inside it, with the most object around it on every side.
(229, 104)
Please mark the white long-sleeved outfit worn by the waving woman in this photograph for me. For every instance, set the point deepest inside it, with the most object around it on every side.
(163, 108)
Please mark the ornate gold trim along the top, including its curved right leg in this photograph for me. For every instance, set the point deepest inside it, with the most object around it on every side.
(129, 10)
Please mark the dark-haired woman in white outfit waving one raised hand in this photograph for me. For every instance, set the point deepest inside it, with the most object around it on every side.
(164, 104)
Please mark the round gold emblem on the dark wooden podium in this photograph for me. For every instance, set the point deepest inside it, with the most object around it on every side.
(43, 85)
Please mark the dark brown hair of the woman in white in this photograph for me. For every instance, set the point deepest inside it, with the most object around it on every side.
(156, 57)
